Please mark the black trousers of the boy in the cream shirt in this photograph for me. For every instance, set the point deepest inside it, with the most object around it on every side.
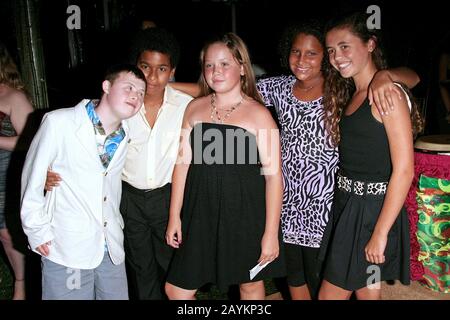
(146, 214)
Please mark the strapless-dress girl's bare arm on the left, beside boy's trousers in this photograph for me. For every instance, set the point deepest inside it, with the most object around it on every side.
(173, 232)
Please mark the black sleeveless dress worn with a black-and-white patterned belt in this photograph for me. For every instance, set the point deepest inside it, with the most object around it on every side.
(363, 156)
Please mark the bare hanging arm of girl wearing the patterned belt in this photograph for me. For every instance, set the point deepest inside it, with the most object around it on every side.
(399, 132)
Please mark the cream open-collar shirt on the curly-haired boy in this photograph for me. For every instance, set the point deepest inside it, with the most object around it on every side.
(152, 152)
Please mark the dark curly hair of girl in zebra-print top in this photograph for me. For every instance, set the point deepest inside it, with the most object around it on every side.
(311, 27)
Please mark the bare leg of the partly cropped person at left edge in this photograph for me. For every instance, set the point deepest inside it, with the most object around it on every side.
(17, 261)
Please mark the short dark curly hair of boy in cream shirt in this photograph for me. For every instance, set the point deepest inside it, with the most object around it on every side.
(156, 39)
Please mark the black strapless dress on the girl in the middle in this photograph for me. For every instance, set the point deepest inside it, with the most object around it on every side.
(224, 212)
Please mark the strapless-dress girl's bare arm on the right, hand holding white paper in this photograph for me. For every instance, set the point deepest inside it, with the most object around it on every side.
(270, 155)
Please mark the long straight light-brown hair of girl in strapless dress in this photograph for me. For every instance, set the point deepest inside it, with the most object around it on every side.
(239, 51)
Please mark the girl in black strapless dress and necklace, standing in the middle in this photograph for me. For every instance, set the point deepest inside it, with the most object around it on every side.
(227, 186)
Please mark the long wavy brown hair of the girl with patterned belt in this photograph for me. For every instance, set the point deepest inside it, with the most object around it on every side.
(338, 91)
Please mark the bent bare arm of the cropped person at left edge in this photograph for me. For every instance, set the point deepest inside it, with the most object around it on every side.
(19, 110)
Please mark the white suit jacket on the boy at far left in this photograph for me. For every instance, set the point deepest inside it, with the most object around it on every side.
(83, 211)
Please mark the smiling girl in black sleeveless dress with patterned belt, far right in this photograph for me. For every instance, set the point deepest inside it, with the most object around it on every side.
(369, 242)
